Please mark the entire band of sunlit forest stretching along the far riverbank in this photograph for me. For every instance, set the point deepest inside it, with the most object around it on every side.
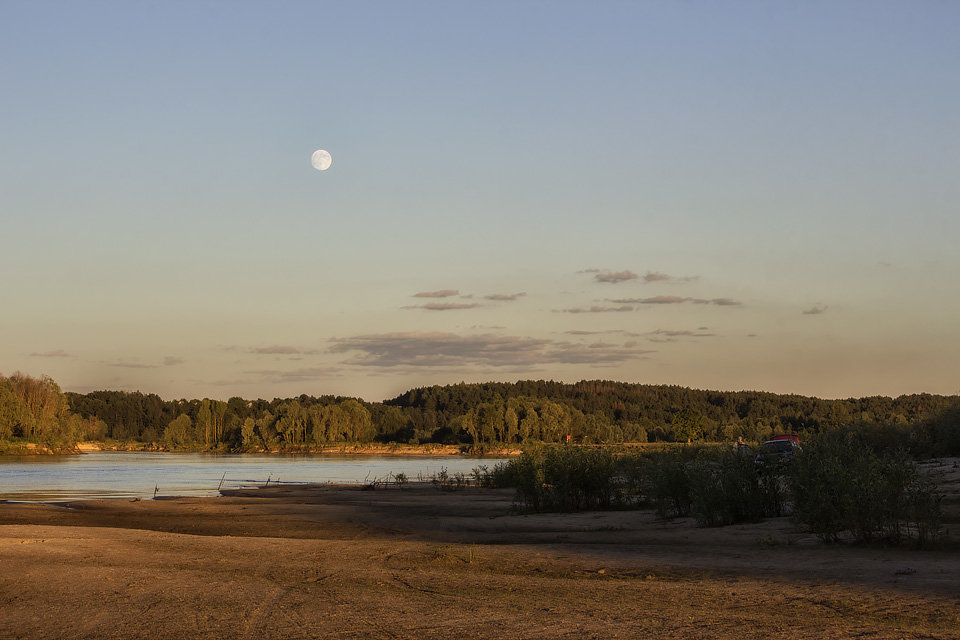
(473, 415)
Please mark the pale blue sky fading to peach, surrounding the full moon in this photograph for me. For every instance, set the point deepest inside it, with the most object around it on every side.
(723, 195)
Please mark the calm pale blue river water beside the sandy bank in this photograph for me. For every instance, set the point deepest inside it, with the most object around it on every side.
(135, 474)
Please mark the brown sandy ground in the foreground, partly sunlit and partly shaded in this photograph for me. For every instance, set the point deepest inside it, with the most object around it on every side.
(343, 562)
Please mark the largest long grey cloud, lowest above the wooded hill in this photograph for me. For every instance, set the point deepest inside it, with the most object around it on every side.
(452, 350)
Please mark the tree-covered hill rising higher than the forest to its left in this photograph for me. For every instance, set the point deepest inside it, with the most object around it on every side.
(602, 411)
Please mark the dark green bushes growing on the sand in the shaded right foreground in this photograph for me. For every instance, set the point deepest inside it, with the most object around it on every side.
(838, 487)
